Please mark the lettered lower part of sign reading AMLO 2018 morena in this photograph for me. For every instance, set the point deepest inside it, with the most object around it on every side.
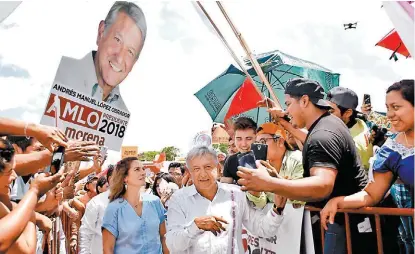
(84, 118)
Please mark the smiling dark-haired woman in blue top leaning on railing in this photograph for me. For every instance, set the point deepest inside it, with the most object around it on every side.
(393, 162)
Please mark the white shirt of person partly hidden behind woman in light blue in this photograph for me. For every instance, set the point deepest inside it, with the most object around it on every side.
(90, 232)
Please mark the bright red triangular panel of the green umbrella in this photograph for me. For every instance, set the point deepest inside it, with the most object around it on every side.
(246, 98)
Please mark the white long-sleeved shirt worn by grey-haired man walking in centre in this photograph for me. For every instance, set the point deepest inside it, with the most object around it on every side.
(183, 236)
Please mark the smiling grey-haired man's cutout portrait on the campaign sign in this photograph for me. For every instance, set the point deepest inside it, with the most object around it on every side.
(120, 40)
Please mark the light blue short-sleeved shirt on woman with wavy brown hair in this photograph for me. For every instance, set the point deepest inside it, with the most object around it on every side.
(135, 234)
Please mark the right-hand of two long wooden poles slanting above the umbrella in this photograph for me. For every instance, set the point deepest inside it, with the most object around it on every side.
(251, 57)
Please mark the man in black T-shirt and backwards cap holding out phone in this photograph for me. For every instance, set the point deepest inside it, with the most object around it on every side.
(330, 160)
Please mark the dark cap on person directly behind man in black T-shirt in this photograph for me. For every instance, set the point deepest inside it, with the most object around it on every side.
(343, 97)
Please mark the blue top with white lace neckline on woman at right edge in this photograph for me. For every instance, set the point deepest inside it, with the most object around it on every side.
(398, 159)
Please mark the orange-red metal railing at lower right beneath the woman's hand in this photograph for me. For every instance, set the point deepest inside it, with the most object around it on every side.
(376, 211)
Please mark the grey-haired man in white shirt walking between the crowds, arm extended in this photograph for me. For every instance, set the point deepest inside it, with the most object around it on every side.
(208, 216)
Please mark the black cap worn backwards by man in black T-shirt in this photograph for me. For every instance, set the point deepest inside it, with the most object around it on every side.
(311, 88)
